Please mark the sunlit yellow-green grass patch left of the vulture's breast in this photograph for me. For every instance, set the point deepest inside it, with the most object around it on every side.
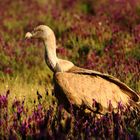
(22, 87)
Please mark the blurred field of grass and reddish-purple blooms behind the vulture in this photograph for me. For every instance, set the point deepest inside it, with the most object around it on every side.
(99, 35)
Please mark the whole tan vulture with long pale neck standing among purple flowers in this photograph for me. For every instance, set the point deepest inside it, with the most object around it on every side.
(82, 87)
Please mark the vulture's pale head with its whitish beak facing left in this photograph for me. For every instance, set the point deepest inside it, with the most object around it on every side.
(42, 32)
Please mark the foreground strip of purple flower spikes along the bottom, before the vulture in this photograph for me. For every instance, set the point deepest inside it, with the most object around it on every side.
(55, 123)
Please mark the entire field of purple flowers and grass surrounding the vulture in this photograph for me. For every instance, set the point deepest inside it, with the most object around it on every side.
(100, 35)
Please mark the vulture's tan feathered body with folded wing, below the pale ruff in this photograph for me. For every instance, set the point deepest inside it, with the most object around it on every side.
(81, 86)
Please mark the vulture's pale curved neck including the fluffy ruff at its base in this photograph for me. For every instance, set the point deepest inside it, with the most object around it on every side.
(54, 63)
